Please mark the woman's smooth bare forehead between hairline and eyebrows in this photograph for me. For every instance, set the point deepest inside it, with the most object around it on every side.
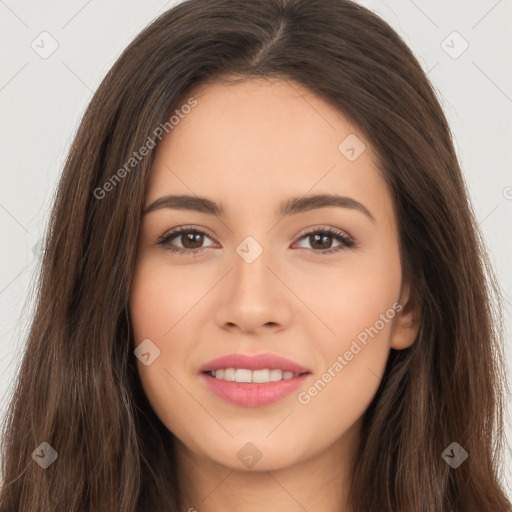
(263, 140)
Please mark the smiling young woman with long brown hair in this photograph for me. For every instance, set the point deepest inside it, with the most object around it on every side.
(263, 285)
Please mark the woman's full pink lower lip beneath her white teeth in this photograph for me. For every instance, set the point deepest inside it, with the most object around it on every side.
(247, 394)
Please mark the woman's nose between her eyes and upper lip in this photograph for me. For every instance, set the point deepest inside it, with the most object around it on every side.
(253, 297)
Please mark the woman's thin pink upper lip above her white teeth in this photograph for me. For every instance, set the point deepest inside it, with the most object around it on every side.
(254, 362)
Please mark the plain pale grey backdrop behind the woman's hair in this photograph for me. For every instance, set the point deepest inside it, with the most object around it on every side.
(465, 46)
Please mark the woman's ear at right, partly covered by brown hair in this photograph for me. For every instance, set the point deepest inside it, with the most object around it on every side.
(407, 321)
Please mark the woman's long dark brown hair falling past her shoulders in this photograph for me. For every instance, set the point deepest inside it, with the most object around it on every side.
(77, 387)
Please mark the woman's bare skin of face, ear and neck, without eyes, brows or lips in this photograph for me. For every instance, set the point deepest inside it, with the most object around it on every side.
(250, 146)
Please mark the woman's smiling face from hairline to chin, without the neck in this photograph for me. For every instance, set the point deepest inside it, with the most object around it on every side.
(319, 284)
